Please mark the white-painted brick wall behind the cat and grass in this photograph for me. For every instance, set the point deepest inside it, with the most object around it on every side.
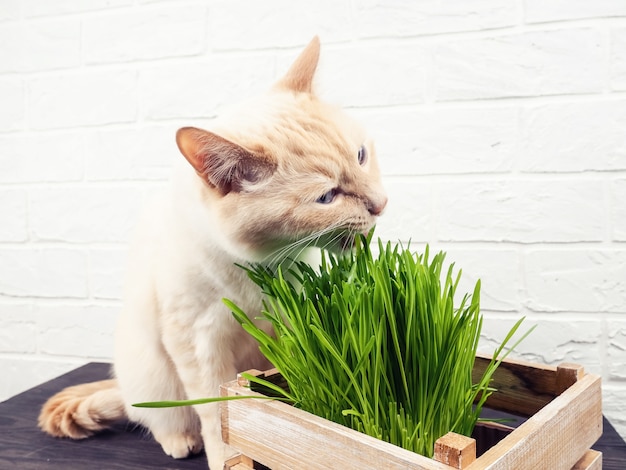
(500, 127)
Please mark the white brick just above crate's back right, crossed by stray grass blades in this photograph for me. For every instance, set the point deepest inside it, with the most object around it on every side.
(553, 341)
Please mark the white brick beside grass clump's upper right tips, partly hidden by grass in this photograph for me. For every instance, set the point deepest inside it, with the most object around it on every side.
(499, 271)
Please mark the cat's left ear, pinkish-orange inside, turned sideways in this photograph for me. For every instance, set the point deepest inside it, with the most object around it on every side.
(223, 164)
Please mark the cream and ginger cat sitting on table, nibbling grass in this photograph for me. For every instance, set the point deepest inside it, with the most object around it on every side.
(283, 172)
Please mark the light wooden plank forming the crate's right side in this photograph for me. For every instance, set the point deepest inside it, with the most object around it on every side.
(556, 437)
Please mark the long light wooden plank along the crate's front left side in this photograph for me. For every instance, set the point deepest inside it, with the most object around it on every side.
(283, 437)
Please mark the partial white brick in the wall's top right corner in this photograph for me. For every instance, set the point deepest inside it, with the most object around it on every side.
(537, 11)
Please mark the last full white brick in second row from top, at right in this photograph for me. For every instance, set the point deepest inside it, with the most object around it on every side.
(537, 63)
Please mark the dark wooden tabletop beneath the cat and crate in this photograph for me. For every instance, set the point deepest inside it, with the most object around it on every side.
(24, 447)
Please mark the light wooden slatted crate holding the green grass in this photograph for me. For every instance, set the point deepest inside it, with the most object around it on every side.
(563, 406)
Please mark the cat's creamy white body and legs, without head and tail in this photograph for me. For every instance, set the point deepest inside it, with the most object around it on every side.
(175, 338)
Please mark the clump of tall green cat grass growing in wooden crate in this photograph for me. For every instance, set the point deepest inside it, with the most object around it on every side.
(377, 343)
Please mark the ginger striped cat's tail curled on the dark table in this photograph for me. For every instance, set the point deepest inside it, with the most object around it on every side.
(78, 412)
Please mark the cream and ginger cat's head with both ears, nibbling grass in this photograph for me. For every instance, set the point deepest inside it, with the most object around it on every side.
(287, 168)
